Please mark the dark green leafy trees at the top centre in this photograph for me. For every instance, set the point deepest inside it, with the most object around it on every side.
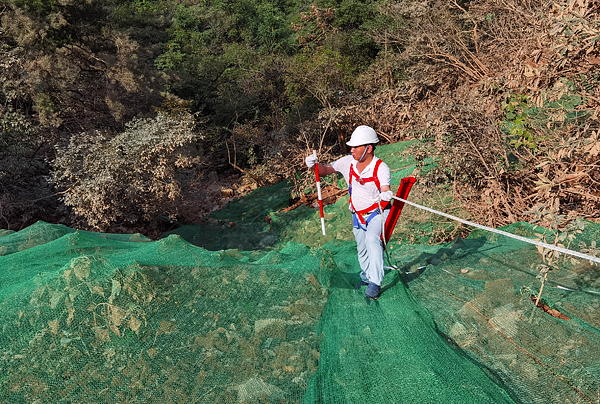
(216, 47)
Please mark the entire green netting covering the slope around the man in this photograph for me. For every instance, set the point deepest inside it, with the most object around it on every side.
(271, 315)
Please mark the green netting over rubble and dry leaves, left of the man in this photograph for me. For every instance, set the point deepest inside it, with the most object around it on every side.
(88, 318)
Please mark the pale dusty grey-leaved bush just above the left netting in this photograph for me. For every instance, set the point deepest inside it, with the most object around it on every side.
(127, 177)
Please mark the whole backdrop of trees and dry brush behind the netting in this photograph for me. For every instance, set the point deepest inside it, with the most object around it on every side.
(130, 115)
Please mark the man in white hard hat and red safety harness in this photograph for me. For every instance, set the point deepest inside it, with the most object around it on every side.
(368, 181)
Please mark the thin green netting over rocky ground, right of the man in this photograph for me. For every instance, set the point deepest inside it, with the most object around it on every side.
(480, 292)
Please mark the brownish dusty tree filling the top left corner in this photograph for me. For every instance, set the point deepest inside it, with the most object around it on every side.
(75, 69)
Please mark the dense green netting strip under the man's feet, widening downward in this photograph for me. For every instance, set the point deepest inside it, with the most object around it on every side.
(389, 351)
